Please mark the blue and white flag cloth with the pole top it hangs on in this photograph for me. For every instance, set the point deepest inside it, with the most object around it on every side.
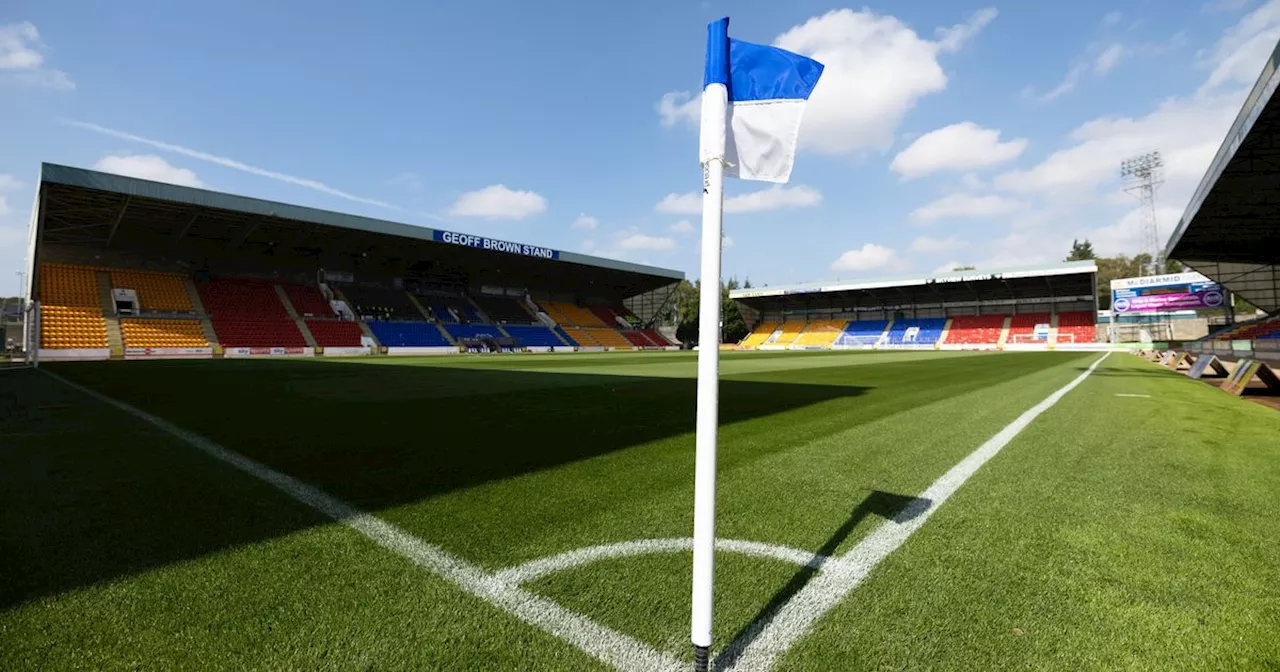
(753, 99)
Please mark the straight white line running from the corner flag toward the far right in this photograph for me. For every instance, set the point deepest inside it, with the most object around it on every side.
(771, 638)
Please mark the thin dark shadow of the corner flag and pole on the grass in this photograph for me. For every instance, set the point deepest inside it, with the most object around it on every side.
(888, 506)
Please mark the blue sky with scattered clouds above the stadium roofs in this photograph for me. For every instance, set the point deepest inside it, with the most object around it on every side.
(941, 134)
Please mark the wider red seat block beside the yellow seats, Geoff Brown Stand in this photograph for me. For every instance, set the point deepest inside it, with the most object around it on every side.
(249, 314)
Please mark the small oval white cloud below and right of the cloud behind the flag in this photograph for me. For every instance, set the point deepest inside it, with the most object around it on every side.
(962, 147)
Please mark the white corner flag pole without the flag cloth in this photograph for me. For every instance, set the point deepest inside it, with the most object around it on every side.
(715, 115)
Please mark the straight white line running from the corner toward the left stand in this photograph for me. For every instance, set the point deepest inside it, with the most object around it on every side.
(610, 646)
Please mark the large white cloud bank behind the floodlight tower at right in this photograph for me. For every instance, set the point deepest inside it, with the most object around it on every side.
(1081, 182)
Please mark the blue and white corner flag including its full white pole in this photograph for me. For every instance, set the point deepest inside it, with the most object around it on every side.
(753, 99)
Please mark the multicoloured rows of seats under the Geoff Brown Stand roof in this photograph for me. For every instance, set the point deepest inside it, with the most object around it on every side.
(250, 313)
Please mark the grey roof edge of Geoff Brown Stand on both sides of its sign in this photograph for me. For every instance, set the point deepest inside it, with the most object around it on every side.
(108, 182)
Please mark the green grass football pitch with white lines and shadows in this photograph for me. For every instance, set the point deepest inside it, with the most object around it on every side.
(876, 511)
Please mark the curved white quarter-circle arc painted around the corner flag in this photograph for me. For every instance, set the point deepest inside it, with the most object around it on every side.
(537, 569)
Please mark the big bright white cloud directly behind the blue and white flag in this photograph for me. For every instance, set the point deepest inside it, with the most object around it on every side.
(876, 70)
